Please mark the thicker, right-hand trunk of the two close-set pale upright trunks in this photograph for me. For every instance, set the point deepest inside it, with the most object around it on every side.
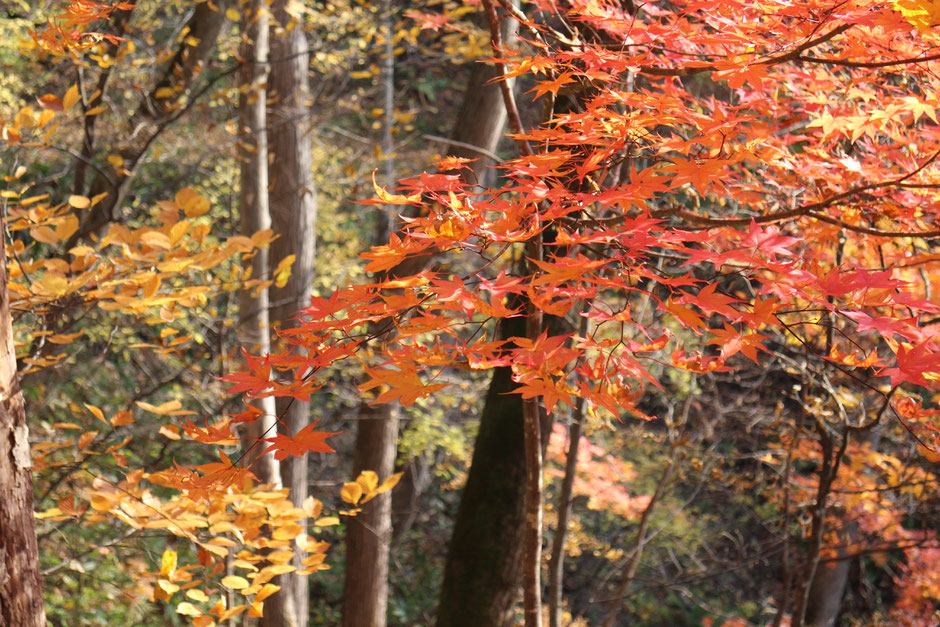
(293, 216)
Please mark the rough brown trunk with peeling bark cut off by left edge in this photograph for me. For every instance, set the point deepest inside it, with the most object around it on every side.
(20, 581)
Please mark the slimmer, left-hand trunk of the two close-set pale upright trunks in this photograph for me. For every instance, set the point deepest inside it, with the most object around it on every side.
(254, 324)
